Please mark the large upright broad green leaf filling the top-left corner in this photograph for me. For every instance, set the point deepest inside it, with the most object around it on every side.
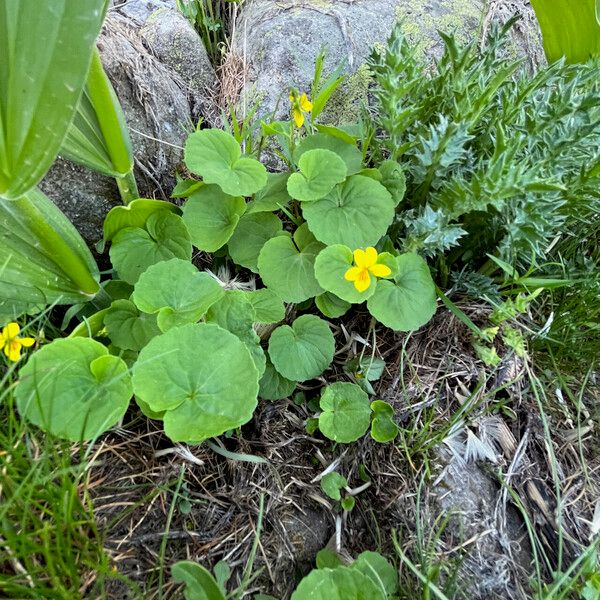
(46, 49)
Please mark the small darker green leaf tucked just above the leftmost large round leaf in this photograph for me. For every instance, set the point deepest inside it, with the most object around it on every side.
(127, 327)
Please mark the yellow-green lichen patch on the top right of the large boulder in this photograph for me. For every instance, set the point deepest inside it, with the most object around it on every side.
(420, 22)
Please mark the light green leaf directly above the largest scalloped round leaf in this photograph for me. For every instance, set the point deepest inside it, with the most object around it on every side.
(177, 291)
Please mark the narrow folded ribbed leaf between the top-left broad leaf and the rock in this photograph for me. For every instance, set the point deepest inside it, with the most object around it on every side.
(98, 137)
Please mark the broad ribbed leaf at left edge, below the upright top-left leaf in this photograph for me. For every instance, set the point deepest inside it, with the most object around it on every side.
(43, 259)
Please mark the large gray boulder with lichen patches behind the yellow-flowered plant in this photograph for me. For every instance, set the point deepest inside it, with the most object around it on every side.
(281, 39)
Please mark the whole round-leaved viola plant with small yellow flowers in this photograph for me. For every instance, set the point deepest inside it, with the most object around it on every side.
(197, 352)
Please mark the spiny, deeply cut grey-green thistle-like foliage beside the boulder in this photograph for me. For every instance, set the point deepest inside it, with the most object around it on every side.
(498, 160)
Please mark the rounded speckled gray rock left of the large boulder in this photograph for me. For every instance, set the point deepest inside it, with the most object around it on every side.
(178, 46)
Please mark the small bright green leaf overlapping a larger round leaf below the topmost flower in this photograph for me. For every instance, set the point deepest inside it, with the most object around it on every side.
(319, 172)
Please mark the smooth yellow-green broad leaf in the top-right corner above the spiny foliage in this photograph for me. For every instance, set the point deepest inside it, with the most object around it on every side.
(569, 28)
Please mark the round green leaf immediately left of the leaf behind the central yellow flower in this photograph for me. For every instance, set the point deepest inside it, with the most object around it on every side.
(287, 271)
